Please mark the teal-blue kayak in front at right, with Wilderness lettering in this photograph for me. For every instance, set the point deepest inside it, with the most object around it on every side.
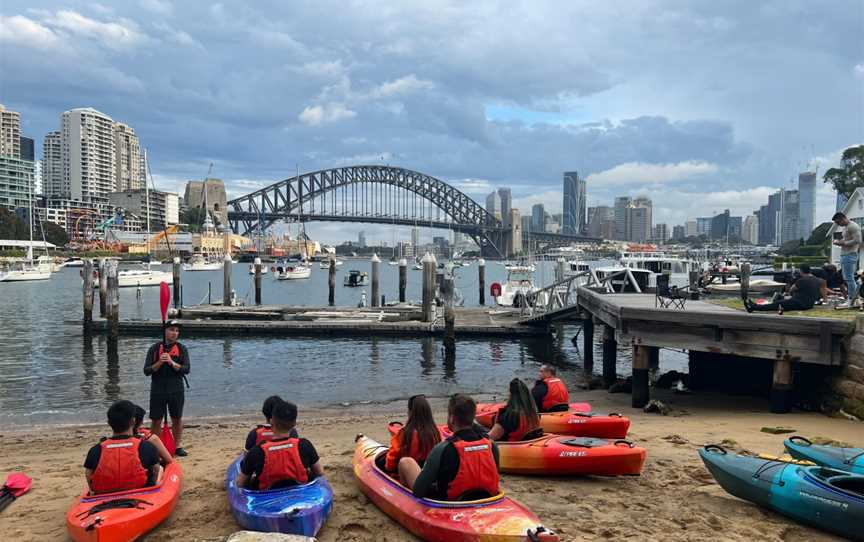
(829, 499)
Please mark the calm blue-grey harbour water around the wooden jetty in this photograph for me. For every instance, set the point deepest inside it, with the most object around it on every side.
(49, 374)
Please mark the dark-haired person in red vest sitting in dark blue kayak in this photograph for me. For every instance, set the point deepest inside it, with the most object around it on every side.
(284, 461)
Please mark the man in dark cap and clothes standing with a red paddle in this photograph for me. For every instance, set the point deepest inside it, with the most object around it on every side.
(167, 364)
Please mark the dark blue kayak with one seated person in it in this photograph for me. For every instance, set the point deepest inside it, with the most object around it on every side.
(299, 510)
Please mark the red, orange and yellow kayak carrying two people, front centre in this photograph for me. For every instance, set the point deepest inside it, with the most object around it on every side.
(497, 519)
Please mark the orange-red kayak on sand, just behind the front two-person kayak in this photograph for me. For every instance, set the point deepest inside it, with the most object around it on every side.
(556, 455)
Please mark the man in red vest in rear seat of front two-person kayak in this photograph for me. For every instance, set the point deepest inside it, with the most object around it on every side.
(462, 467)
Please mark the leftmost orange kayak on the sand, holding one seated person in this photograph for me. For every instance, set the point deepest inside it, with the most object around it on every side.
(125, 515)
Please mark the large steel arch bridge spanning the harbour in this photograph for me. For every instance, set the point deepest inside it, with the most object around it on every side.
(382, 194)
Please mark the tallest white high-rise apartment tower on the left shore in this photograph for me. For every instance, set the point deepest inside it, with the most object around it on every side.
(88, 153)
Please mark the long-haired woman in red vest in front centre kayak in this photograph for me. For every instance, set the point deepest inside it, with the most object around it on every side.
(416, 438)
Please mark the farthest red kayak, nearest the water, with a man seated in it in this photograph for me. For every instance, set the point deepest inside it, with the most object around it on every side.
(578, 422)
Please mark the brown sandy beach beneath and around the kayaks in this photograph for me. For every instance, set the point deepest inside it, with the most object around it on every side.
(674, 499)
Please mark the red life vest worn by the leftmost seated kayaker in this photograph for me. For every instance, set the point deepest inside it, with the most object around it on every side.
(119, 467)
